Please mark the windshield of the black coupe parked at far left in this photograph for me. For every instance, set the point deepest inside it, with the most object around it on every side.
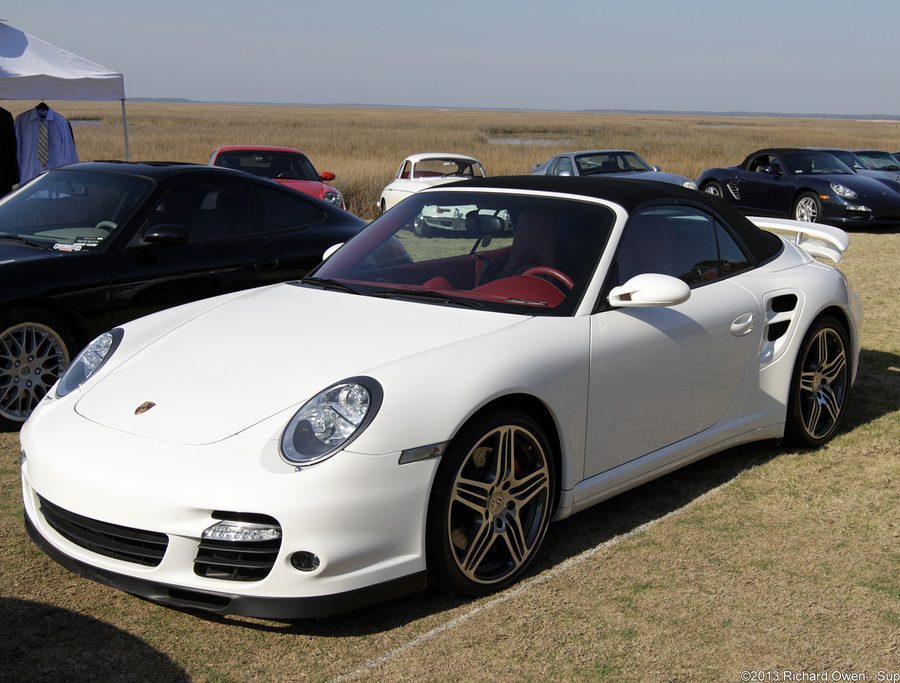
(72, 210)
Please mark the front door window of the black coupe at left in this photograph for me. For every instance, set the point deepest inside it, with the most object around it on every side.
(209, 210)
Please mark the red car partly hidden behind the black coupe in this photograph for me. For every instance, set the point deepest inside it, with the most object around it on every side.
(284, 165)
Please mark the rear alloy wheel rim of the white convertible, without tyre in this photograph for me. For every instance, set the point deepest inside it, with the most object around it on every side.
(823, 383)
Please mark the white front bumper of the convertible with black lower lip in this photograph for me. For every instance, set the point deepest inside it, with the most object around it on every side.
(362, 516)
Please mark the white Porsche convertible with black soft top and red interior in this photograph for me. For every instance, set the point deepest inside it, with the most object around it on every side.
(425, 408)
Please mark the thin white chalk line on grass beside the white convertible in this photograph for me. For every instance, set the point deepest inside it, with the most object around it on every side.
(516, 590)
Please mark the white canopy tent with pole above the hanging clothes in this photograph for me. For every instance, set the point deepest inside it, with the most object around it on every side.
(33, 69)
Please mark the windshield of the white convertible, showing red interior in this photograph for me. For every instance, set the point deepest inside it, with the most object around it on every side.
(502, 252)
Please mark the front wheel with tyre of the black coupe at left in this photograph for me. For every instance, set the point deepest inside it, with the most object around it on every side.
(35, 349)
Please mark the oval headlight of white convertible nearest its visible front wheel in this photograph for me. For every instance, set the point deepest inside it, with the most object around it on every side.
(330, 420)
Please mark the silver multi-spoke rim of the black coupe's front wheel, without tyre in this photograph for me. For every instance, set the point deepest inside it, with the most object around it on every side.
(32, 358)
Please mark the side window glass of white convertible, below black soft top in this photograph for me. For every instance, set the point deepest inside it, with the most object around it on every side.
(684, 242)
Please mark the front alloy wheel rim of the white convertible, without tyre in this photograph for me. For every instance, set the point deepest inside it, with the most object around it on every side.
(499, 504)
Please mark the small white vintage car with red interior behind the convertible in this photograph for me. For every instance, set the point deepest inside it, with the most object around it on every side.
(421, 171)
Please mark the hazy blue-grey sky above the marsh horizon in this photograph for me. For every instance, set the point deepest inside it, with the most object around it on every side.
(792, 56)
